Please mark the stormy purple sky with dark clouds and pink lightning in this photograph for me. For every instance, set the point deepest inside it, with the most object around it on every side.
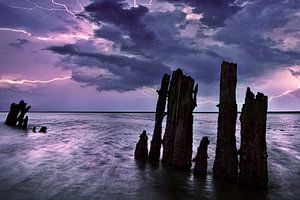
(110, 55)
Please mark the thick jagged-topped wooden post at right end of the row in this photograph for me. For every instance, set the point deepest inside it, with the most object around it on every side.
(253, 152)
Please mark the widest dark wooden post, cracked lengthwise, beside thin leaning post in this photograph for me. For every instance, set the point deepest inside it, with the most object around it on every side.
(178, 138)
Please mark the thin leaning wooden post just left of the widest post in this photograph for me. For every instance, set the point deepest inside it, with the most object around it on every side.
(154, 153)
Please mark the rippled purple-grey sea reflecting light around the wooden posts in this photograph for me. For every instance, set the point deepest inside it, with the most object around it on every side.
(91, 156)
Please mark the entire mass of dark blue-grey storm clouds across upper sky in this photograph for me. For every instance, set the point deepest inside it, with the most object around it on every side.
(229, 30)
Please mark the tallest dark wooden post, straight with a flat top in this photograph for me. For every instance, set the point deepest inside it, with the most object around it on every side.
(226, 160)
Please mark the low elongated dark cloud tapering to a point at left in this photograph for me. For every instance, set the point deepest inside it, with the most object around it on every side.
(123, 73)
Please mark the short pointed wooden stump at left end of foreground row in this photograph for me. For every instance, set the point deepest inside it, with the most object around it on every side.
(141, 149)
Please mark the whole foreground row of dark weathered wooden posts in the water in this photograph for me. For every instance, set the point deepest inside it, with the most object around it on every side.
(246, 166)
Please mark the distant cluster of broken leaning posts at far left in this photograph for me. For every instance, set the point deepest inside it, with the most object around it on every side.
(16, 115)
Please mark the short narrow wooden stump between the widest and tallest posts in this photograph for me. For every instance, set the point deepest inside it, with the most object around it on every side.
(200, 168)
